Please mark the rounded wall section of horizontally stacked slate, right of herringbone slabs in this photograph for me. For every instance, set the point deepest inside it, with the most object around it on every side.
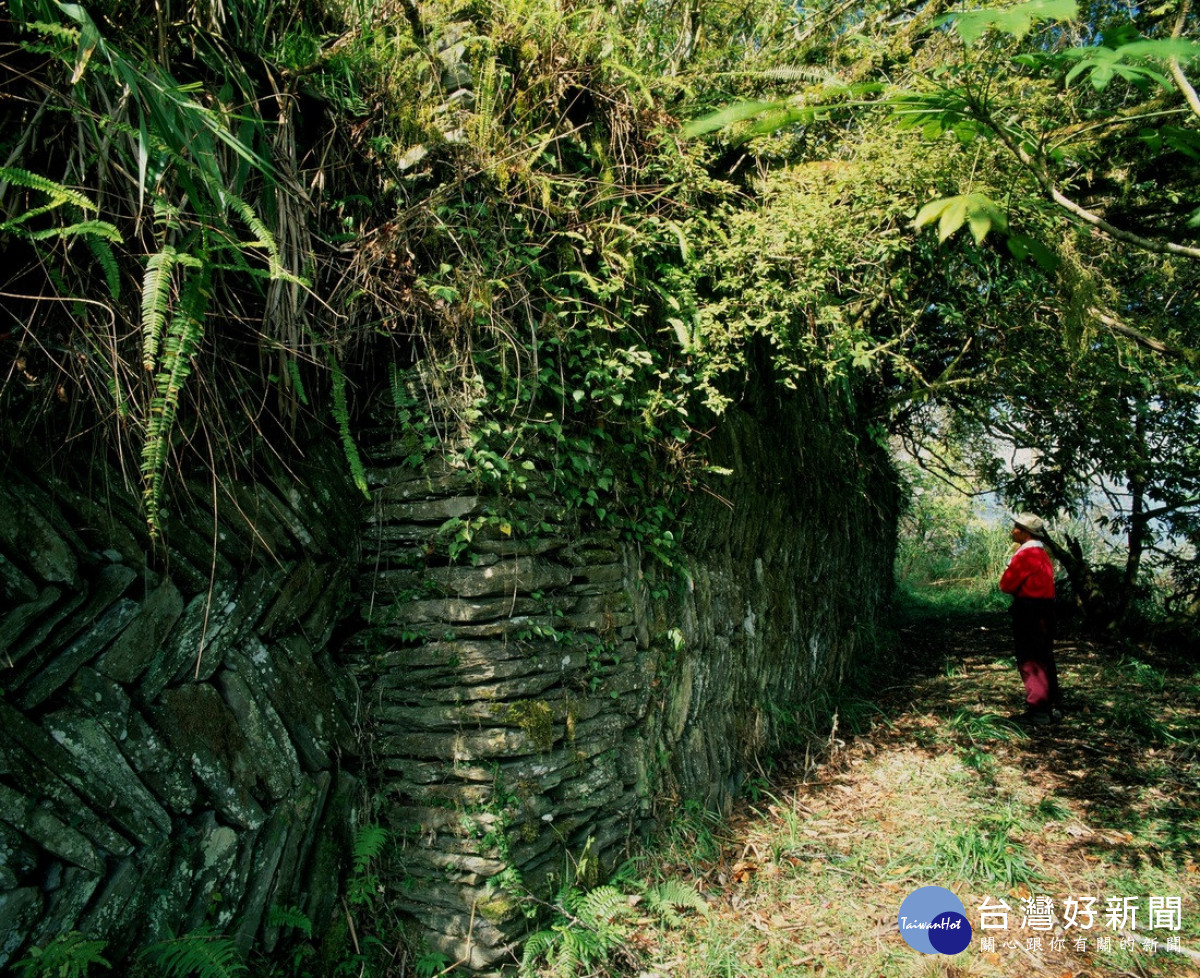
(556, 693)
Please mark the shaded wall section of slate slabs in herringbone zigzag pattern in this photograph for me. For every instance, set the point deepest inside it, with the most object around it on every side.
(177, 742)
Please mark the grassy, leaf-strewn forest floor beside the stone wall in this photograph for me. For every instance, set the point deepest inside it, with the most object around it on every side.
(923, 781)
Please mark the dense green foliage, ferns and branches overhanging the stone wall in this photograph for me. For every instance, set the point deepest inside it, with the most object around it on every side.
(245, 219)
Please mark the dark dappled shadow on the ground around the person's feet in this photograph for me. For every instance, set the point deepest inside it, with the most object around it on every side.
(1127, 748)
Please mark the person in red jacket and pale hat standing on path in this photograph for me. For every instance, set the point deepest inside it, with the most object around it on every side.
(1029, 578)
